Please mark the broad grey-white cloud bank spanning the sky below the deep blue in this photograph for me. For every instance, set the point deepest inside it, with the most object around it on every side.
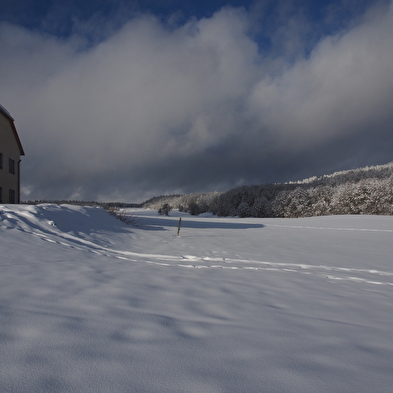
(151, 99)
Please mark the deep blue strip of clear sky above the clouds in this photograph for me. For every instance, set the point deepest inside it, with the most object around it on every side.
(58, 17)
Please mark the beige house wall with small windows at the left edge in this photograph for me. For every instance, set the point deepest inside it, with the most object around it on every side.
(9, 149)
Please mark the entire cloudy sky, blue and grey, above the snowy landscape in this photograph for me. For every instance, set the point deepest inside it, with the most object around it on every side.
(124, 100)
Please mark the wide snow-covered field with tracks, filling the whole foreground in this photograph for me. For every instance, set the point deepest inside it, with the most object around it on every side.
(89, 304)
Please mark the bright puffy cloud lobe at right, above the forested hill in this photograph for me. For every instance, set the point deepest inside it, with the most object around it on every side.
(345, 85)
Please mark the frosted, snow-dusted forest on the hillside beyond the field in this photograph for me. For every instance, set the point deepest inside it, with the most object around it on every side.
(366, 190)
